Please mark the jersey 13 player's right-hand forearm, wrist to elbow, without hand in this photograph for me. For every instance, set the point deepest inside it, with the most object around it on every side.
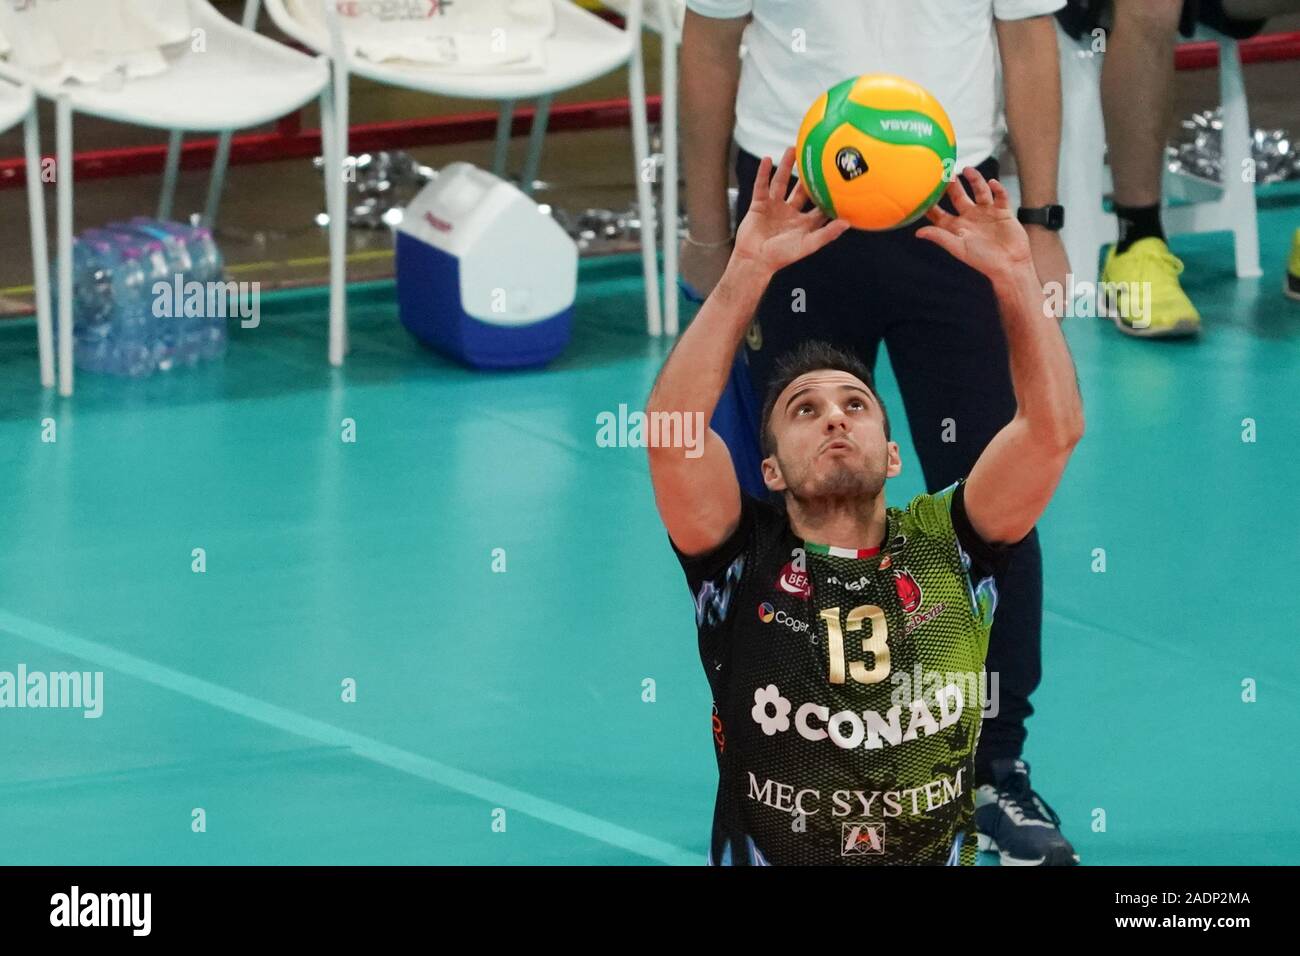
(1043, 377)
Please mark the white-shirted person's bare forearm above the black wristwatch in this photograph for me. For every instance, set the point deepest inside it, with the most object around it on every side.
(1032, 77)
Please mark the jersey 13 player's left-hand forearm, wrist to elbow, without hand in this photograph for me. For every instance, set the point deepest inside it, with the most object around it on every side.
(694, 378)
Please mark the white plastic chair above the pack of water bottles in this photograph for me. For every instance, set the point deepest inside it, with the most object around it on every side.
(239, 80)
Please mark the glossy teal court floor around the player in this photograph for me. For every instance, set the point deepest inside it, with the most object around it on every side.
(522, 691)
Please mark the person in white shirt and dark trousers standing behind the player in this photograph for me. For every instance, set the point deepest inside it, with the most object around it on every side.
(751, 70)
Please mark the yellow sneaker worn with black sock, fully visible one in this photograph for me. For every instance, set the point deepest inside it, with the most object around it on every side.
(1141, 292)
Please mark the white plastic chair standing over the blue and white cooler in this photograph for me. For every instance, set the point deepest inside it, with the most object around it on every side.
(582, 49)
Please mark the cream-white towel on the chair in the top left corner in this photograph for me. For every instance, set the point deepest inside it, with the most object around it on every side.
(88, 40)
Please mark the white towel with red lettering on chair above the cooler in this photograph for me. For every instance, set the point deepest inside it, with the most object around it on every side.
(448, 36)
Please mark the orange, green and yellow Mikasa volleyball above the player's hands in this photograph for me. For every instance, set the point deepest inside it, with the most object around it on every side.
(877, 152)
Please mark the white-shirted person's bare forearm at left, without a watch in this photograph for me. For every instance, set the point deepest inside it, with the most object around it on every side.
(710, 73)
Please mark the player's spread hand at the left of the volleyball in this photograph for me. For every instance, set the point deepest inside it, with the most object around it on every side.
(777, 232)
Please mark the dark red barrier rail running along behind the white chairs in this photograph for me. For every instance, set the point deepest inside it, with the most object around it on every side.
(291, 141)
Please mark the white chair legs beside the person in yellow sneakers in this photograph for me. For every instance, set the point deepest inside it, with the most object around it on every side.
(1086, 180)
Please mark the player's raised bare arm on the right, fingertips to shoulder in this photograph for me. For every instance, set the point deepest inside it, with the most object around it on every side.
(1016, 477)
